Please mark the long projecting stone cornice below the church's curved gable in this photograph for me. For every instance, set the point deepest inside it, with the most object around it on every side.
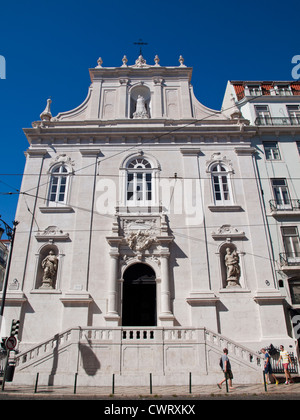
(178, 134)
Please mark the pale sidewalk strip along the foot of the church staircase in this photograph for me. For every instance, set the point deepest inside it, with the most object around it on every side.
(164, 392)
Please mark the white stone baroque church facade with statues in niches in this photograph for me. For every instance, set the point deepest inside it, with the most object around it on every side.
(142, 245)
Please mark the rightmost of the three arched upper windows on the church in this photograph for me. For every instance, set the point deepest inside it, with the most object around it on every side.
(221, 184)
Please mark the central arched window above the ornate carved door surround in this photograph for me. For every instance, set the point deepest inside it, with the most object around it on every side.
(139, 187)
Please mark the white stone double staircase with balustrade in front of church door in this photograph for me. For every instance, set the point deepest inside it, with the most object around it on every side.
(129, 355)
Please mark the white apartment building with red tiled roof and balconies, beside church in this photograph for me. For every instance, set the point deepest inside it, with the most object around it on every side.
(274, 109)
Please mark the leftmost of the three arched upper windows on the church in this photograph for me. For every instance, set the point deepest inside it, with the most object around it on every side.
(58, 188)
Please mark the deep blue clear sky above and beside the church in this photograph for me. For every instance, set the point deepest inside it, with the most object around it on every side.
(49, 47)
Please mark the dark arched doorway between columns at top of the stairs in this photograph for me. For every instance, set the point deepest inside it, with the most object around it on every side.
(139, 296)
